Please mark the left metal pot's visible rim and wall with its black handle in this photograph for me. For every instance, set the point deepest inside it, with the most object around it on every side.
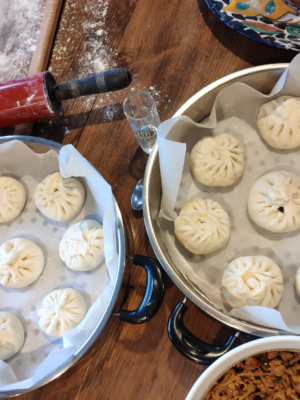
(154, 291)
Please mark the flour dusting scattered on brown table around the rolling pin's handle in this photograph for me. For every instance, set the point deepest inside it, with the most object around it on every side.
(94, 55)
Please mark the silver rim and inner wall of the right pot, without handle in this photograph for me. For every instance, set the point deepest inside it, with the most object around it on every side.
(198, 108)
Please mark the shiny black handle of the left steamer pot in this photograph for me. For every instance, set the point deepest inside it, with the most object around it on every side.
(154, 292)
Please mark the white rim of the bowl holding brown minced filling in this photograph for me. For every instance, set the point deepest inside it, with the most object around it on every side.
(219, 368)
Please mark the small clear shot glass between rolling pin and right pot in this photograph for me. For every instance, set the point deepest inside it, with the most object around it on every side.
(141, 113)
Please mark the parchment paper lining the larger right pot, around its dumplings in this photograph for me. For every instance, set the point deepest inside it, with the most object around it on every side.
(235, 111)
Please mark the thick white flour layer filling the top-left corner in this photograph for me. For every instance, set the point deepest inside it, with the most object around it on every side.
(19, 24)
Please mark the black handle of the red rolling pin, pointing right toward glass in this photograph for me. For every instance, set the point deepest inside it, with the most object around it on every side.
(103, 82)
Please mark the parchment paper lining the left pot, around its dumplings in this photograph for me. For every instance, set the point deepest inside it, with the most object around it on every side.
(41, 354)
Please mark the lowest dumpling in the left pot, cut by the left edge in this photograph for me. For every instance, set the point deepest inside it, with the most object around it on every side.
(11, 335)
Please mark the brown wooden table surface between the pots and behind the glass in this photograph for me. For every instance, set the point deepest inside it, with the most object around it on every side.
(175, 47)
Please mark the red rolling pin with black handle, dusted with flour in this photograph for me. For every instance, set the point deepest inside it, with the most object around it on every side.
(38, 96)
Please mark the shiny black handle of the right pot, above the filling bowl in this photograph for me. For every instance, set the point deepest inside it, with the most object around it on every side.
(189, 345)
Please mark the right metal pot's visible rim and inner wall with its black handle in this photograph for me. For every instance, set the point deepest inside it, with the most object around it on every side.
(263, 79)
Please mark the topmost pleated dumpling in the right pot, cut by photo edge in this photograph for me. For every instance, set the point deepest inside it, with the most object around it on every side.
(279, 122)
